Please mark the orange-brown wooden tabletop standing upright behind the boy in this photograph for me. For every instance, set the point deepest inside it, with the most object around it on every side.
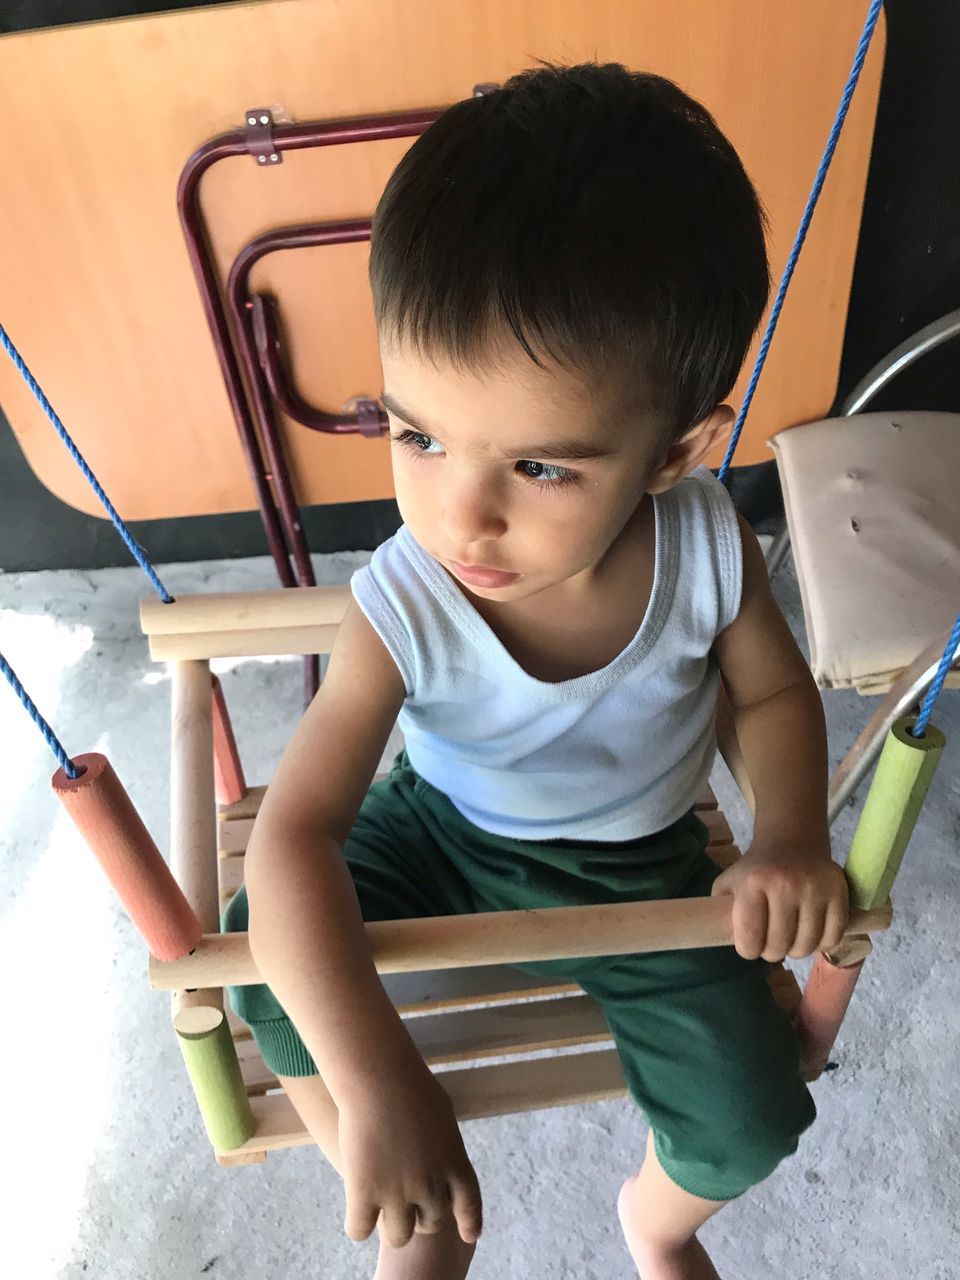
(100, 118)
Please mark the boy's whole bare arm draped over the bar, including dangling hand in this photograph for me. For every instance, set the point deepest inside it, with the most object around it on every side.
(401, 1151)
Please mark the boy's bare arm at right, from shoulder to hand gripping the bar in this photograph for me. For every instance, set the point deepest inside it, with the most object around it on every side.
(789, 897)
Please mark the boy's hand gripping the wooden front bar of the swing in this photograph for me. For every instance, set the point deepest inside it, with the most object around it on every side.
(789, 900)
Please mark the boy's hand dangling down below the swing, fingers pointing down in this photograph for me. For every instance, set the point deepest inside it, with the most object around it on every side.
(404, 1160)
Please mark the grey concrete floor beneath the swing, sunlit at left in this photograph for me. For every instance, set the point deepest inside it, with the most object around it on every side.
(108, 1172)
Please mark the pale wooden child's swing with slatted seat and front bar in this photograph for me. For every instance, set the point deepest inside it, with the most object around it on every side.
(455, 970)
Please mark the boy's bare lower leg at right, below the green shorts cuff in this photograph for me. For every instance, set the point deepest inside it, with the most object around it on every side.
(661, 1222)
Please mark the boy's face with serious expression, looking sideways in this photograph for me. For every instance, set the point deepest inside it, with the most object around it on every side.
(514, 479)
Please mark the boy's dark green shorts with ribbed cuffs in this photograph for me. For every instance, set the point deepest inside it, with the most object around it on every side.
(707, 1053)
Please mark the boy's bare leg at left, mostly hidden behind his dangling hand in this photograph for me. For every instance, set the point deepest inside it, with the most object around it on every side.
(426, 1258)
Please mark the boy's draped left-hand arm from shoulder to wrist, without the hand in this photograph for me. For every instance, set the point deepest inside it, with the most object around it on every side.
(305, 926)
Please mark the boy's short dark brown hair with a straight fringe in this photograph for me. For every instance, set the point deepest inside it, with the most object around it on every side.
(597, 214)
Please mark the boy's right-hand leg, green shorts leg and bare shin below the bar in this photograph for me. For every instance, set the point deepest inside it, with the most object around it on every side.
(715, 1066)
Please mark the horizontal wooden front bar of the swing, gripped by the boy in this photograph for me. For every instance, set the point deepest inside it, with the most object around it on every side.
(501, 938)
